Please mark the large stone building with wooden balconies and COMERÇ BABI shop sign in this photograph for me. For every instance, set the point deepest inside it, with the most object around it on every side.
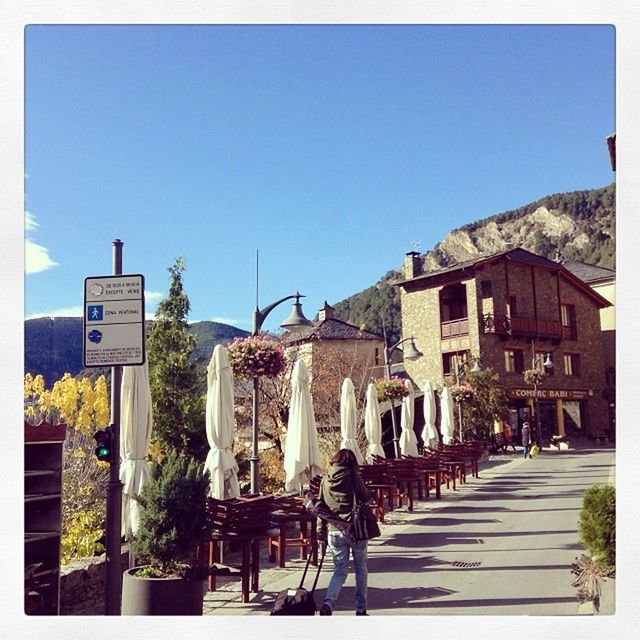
(510, 310)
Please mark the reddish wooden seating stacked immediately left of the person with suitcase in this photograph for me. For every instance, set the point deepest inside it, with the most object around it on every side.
(289, 513)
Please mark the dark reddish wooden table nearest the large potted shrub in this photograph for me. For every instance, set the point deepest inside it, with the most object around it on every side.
(250, 550)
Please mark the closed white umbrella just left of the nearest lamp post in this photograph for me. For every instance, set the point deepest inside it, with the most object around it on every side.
(220, 426)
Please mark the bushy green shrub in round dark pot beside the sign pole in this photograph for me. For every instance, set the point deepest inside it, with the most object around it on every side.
(173, 522)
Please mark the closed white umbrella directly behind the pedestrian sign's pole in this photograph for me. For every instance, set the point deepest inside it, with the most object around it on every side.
(136, 424)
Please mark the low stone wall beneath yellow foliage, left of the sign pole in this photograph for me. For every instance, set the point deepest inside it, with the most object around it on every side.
(82, 585)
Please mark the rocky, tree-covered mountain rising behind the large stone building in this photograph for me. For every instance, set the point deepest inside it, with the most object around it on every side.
(578, 225)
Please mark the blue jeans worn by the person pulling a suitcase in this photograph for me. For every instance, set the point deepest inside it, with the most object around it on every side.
(340, 546)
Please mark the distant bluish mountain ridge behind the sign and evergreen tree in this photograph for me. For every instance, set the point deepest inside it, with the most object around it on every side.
(53, 346)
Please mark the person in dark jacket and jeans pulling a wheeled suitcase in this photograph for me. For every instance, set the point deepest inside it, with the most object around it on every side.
(337, 489)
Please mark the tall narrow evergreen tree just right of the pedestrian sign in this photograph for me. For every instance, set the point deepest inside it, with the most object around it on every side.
(177, 390)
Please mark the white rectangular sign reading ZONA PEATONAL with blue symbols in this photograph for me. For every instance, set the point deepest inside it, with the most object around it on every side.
(113, 321)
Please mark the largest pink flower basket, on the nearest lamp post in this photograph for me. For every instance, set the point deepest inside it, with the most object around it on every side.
(256, 357)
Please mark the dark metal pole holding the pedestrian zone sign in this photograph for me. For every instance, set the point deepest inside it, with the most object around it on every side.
(114, 487)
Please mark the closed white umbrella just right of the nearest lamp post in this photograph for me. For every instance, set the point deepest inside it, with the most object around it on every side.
(301, 451)
